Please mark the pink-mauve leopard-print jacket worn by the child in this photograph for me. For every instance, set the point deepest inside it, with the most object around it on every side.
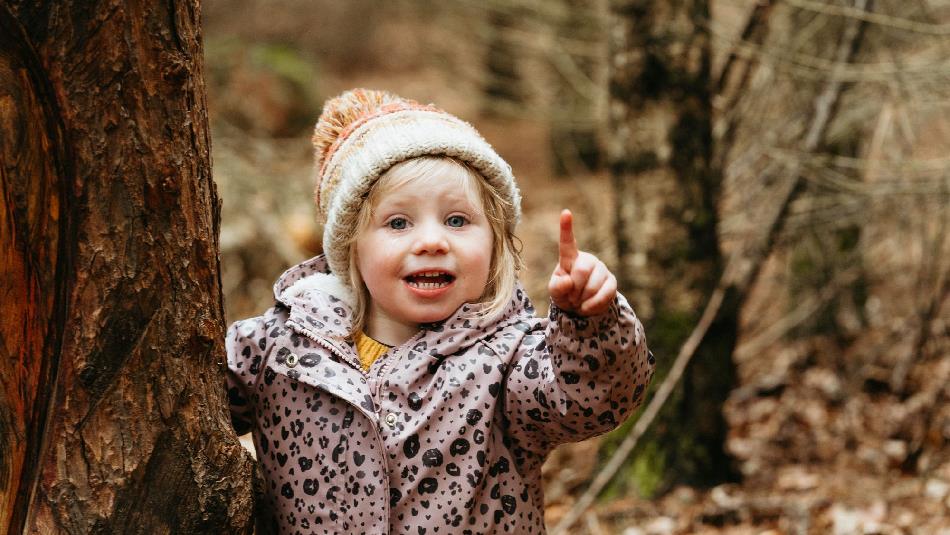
(445, 433)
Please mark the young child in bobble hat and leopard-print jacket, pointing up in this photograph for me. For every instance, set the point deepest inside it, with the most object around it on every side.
(401, 382)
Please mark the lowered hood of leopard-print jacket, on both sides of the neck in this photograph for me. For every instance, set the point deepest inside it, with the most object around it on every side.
(311, 285)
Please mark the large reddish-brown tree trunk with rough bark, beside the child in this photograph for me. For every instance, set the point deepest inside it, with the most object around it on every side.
(112, 409)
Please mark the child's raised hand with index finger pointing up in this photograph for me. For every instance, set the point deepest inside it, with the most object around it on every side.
(581, 283)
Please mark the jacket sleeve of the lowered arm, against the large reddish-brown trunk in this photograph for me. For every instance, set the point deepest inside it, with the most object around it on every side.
(248, 343)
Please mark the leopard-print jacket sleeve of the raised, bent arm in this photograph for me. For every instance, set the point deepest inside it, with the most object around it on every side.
(574, 377)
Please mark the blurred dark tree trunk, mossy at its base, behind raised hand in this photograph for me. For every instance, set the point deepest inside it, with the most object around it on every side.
(667, 190)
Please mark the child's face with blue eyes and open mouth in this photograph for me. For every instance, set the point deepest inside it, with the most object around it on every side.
(426, 251)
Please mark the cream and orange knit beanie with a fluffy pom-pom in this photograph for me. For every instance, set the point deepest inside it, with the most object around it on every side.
(362, 133)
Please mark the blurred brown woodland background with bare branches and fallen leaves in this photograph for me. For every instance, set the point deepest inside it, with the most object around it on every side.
(769, 180)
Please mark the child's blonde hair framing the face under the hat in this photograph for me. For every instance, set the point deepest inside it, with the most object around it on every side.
(506, 251)
